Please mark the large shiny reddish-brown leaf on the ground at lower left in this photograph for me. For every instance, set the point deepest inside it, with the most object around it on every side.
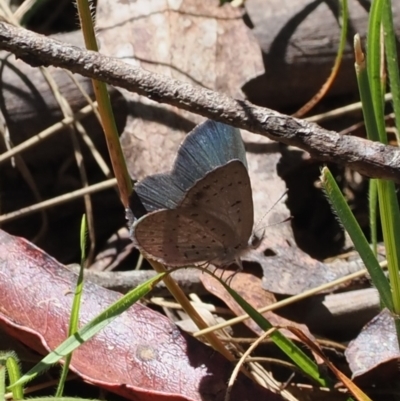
(141, 355)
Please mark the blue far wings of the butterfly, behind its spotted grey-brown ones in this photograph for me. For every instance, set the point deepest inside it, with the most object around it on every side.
(208, 146)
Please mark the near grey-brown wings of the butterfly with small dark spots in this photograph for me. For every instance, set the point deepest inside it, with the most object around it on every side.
(213, 222)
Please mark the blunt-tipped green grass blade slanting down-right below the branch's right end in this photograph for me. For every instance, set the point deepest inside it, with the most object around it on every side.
(350, 224)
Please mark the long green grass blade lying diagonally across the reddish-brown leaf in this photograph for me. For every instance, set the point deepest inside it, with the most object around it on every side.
(91, 328)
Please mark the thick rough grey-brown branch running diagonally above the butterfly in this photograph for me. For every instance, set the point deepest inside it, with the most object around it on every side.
(370, 158)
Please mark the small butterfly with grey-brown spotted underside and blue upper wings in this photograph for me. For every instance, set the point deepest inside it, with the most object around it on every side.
(202, 211)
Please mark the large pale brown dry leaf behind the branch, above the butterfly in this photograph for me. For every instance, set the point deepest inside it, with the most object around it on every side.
(202, 43)
